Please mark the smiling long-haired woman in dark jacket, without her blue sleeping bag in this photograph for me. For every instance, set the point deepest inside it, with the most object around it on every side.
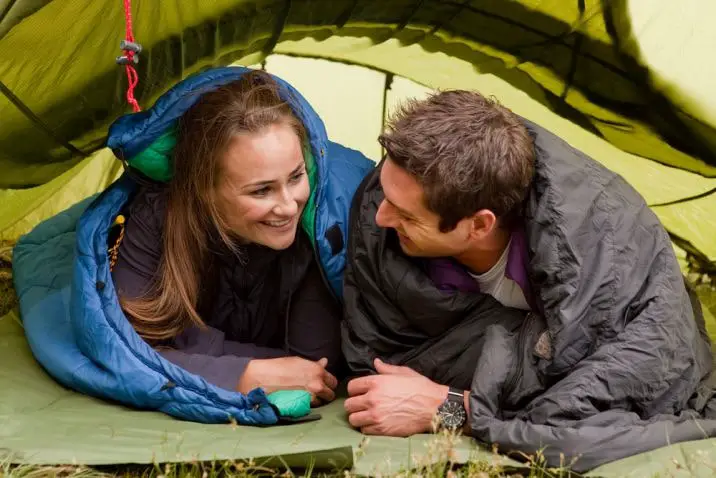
(216, 268)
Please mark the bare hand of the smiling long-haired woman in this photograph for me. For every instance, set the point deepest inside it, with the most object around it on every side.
(290, 373)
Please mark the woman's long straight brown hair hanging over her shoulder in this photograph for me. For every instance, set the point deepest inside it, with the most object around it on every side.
(192, 220)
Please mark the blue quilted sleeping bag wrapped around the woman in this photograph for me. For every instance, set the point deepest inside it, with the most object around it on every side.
(68, 304)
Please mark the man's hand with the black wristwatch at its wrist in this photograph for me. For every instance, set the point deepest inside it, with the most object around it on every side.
(396, 402)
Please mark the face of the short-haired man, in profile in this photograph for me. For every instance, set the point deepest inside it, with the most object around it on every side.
(404, 210)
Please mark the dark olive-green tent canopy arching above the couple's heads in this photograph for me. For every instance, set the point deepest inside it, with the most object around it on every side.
(582, 56)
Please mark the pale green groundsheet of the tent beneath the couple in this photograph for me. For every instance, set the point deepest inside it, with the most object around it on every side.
(41, 422)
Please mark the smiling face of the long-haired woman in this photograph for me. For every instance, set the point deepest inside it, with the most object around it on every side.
(263, 186)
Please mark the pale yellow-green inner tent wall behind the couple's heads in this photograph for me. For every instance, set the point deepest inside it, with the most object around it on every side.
(330, 87)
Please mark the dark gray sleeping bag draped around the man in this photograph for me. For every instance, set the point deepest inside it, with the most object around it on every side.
(615, 359)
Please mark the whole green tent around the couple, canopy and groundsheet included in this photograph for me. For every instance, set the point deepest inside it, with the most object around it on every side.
(627, 81)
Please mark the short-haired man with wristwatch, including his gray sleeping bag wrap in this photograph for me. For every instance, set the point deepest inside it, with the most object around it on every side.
(507, 284)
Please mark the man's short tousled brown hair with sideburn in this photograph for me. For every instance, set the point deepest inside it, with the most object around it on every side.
(467, 151)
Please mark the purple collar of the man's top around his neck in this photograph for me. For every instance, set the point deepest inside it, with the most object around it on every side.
(449, 275)
